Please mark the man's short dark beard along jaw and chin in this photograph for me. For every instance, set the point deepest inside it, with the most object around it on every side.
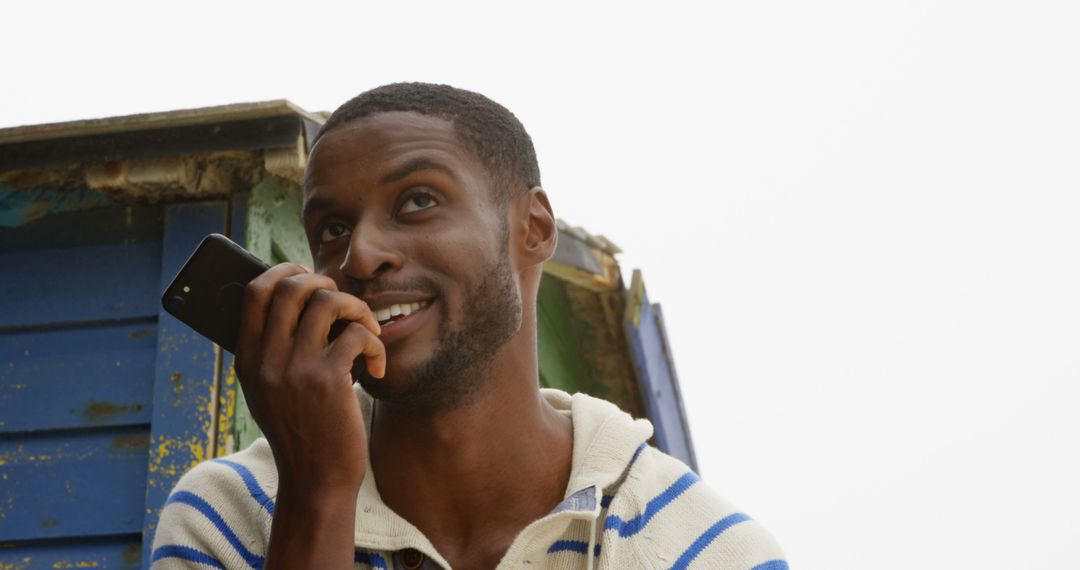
(453, 377)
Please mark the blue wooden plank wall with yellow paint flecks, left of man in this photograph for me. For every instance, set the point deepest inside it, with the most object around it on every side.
(105, 401)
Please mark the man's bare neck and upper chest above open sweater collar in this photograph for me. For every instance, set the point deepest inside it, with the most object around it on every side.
(472, 478)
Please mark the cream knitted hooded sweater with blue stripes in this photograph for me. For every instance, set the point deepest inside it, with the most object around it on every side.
(628, 506)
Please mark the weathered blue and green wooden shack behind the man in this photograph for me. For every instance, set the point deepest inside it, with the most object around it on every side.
(106, 400)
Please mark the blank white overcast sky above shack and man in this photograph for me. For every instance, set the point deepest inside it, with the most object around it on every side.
(862, 221)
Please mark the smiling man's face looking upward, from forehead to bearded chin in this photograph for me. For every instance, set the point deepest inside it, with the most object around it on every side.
(401, 214)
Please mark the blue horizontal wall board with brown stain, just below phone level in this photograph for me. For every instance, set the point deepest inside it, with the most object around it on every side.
(77, 378)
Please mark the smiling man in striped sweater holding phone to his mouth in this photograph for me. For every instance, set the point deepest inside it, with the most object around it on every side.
(429, 230)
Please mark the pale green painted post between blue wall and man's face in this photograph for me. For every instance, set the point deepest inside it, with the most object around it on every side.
(274, 232)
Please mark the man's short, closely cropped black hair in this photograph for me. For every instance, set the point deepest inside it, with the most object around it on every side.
(490, 130)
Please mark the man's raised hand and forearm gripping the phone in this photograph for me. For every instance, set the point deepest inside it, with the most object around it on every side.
(300, 391)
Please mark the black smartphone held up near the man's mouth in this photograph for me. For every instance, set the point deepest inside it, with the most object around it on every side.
(208, 293)
